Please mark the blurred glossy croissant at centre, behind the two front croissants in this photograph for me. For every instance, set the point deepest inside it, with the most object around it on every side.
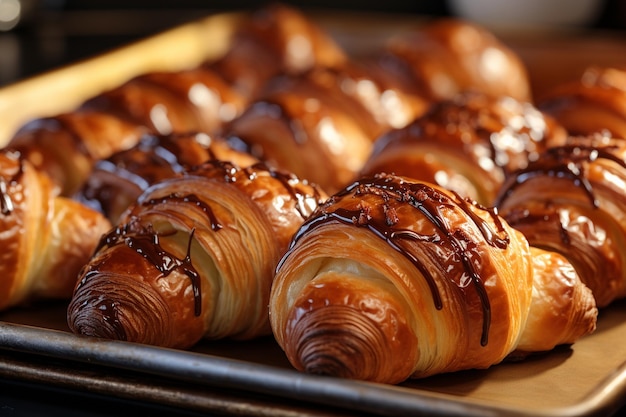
(302, 125)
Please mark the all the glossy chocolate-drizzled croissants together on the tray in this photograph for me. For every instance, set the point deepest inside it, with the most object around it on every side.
(408, 212)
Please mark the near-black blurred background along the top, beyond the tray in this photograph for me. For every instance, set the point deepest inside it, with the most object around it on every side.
(51, 33)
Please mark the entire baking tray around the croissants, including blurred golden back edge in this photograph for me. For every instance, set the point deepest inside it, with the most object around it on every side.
(254, 378)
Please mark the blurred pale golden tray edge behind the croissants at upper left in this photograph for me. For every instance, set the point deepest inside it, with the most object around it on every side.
(65, 88)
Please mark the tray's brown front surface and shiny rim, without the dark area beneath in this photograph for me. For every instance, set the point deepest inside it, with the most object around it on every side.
(588, 378)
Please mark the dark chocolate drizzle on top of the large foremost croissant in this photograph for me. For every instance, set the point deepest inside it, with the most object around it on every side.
(429, 202)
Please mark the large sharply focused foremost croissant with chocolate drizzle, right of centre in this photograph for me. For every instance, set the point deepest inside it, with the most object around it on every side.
(393, 279)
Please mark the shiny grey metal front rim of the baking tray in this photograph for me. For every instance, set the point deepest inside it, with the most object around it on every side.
(214, 371)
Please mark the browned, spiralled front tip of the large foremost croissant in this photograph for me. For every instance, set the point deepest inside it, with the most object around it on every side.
(337, 328)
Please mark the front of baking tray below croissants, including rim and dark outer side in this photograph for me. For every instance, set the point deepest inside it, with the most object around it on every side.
(254, 378)
